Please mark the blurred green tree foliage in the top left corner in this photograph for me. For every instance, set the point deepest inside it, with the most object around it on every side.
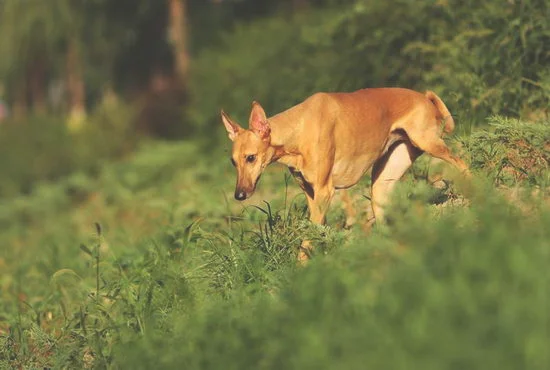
(37, 36)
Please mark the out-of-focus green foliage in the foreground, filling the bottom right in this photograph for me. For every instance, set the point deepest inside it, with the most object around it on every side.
(463, 291)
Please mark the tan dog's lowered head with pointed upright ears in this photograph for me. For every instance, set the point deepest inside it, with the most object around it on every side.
(251, 152)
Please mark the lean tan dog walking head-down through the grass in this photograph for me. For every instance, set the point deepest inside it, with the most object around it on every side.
(331, 139)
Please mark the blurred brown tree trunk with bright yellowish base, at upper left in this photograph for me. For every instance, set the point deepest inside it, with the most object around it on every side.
(75, 84)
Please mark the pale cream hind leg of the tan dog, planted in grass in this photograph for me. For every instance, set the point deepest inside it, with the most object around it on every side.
(387, 171)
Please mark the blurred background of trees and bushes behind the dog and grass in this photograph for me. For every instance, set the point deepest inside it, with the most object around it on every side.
(85, 81)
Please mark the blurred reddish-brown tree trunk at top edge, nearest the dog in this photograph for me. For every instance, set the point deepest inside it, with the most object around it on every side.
(178, 37)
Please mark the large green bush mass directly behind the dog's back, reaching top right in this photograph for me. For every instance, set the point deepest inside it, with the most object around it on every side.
(481, 57)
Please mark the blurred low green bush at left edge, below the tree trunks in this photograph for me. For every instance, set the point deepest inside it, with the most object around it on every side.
(44, 149)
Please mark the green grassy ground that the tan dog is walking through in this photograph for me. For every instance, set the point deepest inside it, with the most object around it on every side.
(153, 265)
